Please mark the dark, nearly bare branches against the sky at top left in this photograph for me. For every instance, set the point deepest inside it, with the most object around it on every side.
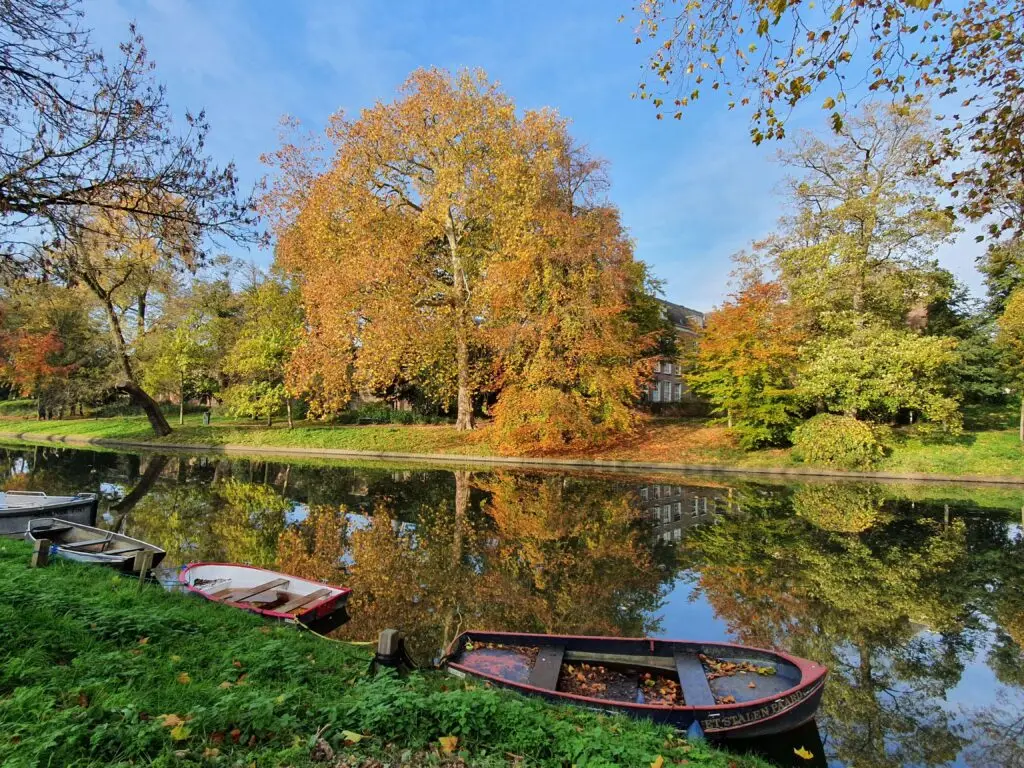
(86, 134)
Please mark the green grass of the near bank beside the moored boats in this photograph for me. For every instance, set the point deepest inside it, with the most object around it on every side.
(96, 672)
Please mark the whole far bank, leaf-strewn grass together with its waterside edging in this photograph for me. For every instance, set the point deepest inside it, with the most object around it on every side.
(991, 454)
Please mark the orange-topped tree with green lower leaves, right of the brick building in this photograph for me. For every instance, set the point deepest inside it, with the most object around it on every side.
(747, 363)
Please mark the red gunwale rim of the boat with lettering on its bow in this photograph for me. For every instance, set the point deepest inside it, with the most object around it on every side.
(813, 675)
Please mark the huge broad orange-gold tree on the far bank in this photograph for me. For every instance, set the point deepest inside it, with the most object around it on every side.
(448, 241)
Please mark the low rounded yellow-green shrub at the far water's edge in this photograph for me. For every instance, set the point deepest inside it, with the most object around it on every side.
(839, 442)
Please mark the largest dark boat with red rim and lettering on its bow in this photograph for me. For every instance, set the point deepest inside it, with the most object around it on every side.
(732, 691)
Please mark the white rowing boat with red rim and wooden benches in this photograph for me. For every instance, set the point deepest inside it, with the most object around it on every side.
(266, 592)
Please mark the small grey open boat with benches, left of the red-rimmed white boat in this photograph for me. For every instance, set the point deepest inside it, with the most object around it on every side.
(87, 544)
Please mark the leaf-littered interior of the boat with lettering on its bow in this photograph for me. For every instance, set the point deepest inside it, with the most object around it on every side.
(675, 675)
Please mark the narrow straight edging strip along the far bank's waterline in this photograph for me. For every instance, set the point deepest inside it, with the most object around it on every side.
(456, 459)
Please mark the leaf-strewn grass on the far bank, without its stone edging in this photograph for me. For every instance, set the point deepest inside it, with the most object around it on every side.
(991, 449)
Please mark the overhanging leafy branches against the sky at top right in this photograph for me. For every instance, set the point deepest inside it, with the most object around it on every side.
(766, 59)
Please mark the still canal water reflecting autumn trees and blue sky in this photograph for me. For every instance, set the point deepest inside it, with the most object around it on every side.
(914, 596)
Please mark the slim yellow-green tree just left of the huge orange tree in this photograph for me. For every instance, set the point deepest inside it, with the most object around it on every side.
(271, 330)
